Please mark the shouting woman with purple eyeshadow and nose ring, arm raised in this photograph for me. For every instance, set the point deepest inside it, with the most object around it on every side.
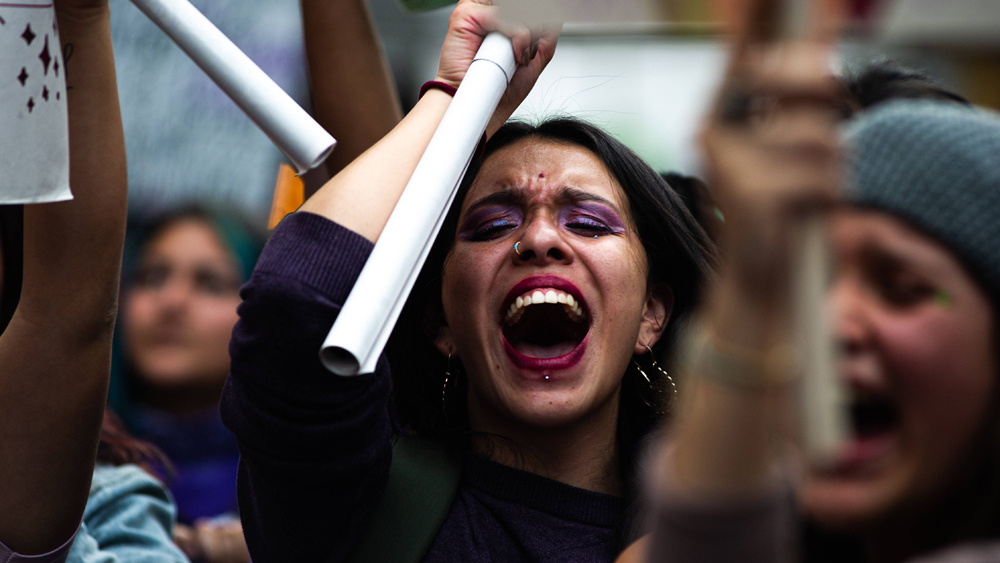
(525, 352)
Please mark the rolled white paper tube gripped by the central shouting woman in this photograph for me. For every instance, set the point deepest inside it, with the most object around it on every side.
(373, 306)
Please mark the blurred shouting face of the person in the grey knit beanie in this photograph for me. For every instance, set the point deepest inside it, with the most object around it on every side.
(917, 333)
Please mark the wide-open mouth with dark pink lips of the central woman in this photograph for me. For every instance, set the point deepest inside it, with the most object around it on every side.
(544, 323)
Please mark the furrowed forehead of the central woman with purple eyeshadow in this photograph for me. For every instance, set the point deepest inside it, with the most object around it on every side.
(542, 167)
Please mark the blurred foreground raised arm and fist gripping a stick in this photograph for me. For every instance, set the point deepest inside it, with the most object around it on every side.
(772, 156)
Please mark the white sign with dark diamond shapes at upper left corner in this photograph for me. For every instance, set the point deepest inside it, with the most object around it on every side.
(34, 136)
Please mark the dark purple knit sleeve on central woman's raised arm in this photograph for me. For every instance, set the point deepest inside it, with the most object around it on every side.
(315, 447)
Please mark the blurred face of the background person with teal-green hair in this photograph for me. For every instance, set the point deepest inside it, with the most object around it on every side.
(180, 311)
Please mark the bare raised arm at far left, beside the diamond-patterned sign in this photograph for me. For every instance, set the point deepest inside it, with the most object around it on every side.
(56, 352)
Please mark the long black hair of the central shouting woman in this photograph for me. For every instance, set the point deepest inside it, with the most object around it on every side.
(680, 255)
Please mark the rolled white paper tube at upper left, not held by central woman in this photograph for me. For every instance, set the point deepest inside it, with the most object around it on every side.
(288, 126)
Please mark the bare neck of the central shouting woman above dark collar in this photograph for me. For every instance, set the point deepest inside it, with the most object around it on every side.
(582, 453)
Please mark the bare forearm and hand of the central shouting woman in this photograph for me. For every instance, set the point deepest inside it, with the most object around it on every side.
(362, 196)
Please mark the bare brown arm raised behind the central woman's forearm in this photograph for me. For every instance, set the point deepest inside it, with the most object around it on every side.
(353, 93)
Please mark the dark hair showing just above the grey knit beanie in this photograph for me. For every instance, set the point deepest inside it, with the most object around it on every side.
(885, 80)
